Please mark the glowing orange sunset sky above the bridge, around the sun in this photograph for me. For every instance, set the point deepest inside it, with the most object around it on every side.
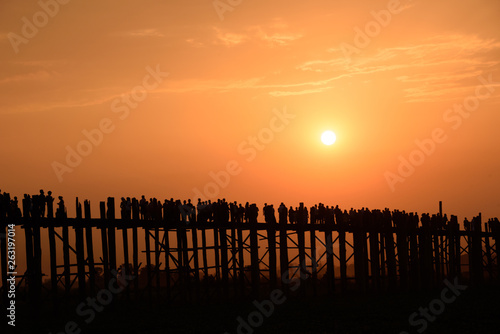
(74, 68)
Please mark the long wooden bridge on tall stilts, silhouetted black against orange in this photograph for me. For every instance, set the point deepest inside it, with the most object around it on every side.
(190, 258)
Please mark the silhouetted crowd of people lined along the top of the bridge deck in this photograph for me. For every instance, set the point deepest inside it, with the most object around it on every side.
(176, 211)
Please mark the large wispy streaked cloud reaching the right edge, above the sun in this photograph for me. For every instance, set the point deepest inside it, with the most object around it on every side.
(438, 68)
